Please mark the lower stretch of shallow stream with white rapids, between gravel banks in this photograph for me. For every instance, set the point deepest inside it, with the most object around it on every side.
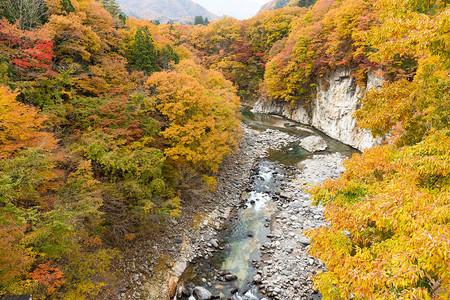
(243, 238)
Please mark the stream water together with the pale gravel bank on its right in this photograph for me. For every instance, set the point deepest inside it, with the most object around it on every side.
(261, 253)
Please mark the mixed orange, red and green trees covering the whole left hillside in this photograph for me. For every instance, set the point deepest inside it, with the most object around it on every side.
(102, 120)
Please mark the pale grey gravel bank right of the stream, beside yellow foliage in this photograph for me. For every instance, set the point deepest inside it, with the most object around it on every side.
(286, 267)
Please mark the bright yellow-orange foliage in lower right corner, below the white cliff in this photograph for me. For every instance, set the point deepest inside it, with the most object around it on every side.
(389, 233)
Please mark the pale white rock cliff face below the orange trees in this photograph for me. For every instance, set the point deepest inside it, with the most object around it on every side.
(331, 110)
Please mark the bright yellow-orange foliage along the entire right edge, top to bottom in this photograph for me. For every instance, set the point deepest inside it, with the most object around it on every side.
(389, 212)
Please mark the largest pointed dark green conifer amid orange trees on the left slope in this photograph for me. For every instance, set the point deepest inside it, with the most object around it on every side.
(144, 55)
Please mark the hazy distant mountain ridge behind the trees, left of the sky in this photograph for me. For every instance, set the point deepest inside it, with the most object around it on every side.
(183, 11)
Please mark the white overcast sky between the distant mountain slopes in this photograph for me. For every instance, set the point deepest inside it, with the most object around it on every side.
(240, 9)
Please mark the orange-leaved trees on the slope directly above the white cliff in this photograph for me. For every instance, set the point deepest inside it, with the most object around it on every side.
(325, 38)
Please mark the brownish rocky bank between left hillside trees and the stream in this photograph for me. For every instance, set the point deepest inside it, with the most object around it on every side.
(151, 269)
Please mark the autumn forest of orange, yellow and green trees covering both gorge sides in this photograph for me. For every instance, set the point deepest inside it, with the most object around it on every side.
(107, 121)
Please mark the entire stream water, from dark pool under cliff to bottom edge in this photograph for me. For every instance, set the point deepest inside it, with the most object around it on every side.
(247, 232)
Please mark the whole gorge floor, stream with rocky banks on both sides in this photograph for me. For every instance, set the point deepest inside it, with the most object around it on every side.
(251, 246)
